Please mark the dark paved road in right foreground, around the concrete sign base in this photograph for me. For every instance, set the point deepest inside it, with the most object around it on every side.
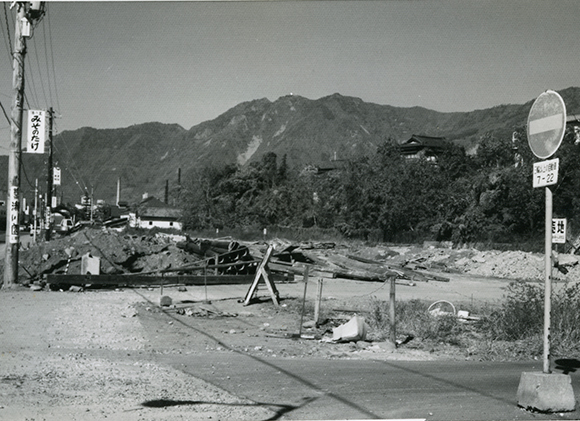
(315, 389)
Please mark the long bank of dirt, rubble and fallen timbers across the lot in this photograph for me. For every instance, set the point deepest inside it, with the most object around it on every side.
(122, 253)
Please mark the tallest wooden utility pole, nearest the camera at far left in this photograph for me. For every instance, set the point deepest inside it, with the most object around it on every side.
(15, 151)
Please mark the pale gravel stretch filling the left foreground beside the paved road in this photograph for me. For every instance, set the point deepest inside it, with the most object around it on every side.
(71, 356)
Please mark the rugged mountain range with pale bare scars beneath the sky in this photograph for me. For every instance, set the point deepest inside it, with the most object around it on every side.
(308, 132)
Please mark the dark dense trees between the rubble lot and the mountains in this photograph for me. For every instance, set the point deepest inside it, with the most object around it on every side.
(487, 196)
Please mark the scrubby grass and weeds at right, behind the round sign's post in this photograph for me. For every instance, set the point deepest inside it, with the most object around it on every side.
(510, 331)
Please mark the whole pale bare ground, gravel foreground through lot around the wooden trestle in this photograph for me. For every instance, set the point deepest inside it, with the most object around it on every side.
(92, 355)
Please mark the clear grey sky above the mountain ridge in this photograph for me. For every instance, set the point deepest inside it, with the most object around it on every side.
(116, 64)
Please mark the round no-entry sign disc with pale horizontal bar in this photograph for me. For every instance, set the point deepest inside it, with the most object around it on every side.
(546, 124)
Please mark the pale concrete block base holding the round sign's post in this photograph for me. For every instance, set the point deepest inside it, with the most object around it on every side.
(546, 392)
